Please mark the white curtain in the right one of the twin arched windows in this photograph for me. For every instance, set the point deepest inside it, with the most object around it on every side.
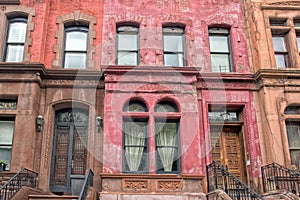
(166, 142)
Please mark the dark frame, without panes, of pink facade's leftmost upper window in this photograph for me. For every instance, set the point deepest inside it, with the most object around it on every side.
(128, 32)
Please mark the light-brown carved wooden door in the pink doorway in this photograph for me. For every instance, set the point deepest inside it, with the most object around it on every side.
(227, 149)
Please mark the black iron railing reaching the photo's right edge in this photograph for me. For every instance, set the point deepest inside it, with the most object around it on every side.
(277, 177)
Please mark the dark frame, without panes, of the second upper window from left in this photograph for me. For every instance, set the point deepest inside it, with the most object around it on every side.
(71, 29)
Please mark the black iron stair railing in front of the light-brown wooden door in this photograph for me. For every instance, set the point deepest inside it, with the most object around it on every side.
(218, 177)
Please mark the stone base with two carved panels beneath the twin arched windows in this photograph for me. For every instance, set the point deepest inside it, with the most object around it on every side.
(151, 186)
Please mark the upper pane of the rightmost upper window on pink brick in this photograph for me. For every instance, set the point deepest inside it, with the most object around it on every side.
(219, 44)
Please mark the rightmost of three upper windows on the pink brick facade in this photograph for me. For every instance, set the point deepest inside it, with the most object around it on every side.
(220, 50)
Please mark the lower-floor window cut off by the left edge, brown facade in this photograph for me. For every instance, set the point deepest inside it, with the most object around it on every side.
(6, 137)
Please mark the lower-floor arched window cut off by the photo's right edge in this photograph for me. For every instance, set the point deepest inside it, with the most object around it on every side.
(293, 133)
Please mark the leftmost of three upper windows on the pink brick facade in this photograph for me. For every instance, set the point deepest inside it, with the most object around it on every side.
(127, 45)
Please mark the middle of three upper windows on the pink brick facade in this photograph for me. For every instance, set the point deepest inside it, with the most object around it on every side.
(174, 46)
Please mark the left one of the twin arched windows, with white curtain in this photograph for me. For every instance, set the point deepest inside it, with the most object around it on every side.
(135, 141)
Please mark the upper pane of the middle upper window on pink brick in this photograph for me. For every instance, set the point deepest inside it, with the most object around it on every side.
(173, 43)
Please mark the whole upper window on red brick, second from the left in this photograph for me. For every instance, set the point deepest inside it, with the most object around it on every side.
(75, 51)
